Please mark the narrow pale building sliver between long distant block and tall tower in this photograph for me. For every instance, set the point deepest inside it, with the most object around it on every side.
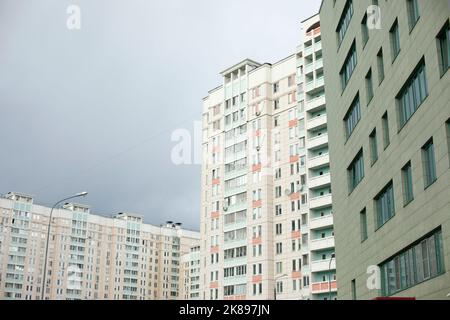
(191, 274)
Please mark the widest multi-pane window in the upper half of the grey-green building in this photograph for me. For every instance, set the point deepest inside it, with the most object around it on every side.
(412, 94)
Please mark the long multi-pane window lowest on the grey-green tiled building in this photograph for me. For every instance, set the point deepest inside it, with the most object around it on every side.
(420, 262)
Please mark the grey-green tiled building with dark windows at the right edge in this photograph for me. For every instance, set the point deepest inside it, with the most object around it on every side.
(387, 87)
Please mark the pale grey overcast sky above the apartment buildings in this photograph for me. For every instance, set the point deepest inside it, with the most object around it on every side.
(93, 109)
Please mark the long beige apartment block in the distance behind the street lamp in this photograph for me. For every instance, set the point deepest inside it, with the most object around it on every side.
(89, 256)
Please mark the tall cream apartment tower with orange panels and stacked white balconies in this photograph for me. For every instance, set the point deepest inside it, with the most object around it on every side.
(266, 224)
